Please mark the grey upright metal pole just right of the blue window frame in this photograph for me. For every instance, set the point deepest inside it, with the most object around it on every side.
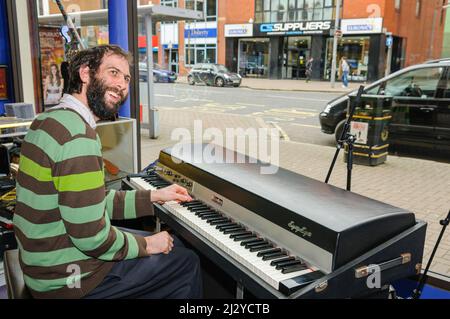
(152, 120)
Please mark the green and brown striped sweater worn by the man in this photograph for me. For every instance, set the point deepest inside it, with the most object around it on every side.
(62, 223)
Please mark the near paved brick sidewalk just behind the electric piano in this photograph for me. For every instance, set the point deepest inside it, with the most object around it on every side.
(420, 186)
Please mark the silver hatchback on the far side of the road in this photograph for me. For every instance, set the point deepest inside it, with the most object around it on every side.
(213, 74)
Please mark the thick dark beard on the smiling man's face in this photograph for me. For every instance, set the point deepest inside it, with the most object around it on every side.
(96, 97)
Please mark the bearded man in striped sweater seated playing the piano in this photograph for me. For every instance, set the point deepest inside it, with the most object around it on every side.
(68, 247)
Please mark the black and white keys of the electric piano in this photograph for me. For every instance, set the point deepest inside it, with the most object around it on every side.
(272, 264)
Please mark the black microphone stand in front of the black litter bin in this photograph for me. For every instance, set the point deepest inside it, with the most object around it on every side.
(348, 139)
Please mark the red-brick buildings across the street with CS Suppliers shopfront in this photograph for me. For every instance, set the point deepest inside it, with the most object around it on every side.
(274, 38)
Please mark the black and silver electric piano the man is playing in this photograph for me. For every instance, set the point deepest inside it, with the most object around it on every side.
(285, 235)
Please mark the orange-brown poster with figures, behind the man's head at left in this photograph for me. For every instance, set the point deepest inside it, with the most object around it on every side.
(52, 55)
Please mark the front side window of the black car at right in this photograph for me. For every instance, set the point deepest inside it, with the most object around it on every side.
(420, 83)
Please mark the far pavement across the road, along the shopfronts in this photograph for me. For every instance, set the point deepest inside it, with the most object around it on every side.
(291, 85)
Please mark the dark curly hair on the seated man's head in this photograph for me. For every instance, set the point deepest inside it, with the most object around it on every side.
(93, 58)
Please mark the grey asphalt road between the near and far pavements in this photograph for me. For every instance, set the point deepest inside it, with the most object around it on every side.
(295, 114)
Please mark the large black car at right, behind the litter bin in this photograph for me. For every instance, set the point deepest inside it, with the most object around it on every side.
(420, 109)
